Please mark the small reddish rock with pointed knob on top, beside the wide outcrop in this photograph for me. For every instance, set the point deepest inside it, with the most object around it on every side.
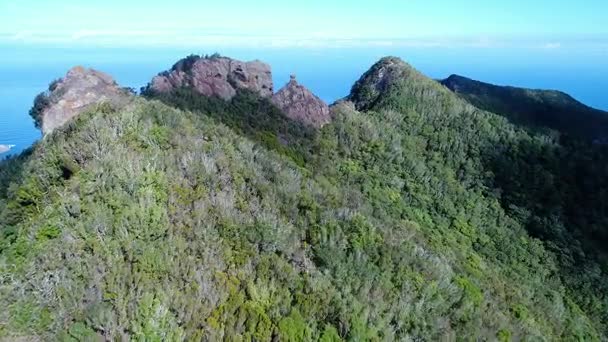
(301, 104)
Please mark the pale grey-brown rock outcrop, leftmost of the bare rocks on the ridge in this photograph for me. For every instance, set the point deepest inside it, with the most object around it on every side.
(75, 93)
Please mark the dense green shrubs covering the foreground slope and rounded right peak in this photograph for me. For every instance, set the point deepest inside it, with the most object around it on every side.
(413, 215)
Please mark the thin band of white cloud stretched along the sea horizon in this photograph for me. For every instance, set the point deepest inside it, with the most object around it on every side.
(218, 38)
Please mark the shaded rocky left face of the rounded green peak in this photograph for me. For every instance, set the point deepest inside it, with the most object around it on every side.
(377, 80)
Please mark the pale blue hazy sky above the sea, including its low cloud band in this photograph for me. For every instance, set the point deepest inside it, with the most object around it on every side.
(541, 23)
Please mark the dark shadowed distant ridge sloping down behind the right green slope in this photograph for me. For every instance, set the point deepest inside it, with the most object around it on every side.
(538, 109)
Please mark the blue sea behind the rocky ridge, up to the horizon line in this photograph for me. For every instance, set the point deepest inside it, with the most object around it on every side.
(27, 70)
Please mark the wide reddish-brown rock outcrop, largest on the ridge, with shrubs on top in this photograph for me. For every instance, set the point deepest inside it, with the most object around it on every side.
(216, 76)
